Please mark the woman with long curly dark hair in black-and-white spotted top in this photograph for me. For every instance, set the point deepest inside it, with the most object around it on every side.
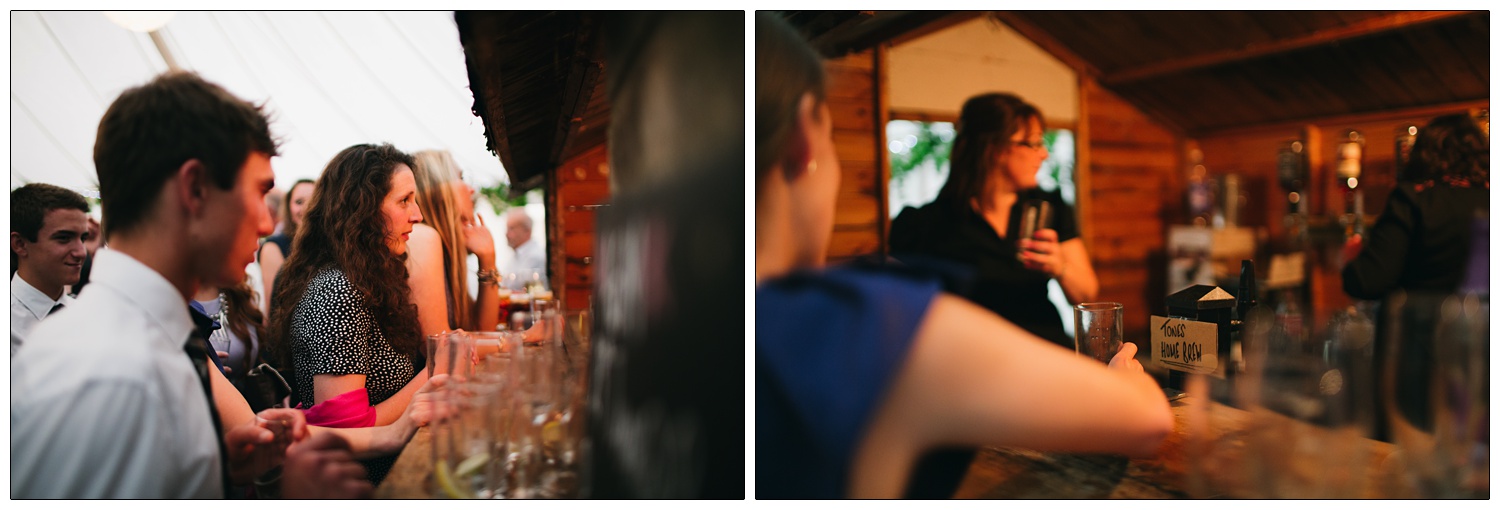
(343, 319)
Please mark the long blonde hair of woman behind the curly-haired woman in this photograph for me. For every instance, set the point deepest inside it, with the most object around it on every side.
(436, 173)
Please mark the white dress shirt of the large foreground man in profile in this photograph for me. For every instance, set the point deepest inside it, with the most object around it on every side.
(104, 401)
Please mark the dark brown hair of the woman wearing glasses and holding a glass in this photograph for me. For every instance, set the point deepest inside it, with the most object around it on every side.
(986, 125)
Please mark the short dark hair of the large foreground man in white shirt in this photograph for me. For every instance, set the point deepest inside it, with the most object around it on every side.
(151, 131)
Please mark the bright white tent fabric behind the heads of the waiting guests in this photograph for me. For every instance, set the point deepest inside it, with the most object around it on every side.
(331, 80)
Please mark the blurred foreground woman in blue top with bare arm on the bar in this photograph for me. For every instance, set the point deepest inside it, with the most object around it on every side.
(860, 371)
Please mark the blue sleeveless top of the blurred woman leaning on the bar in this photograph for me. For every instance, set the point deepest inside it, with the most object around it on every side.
(829, 346)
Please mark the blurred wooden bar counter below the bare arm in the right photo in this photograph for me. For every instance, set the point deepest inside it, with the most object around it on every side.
(1180, 470)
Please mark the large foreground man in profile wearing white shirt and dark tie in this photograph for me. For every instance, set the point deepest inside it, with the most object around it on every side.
(110, 398)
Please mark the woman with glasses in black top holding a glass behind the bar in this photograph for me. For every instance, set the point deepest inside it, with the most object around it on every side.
(971, 224)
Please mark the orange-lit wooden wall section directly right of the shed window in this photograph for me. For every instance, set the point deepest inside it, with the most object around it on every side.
(1130, 175)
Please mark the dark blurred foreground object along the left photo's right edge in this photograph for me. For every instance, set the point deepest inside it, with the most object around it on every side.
(667, 404)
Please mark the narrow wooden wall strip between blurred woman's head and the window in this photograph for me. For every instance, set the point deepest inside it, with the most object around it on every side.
(856, 103)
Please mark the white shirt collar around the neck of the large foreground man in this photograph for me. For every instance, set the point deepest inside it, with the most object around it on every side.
(146, 289)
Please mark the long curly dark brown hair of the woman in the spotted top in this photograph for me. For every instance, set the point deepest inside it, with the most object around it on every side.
(344, 229)
